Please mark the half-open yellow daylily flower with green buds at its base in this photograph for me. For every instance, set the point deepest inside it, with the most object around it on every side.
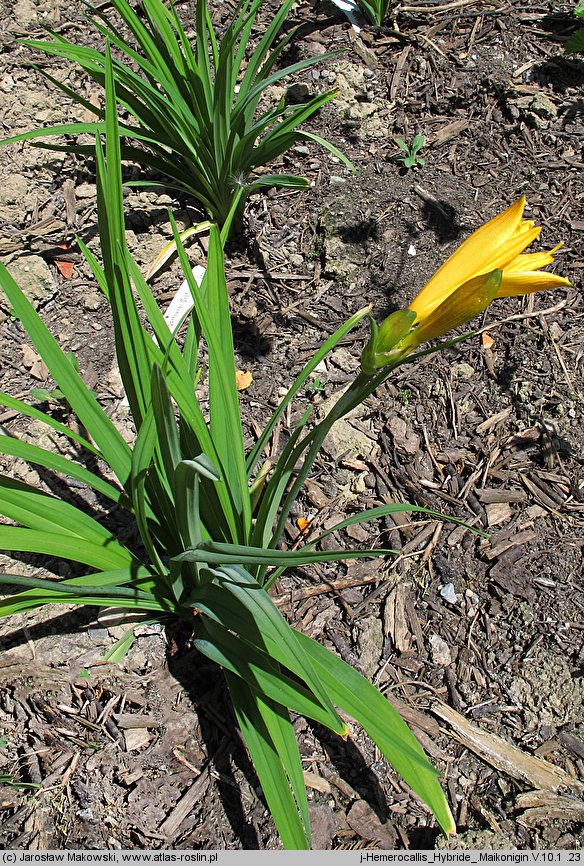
(489, 264)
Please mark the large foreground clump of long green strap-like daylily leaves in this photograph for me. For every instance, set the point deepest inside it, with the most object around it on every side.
(192, 490)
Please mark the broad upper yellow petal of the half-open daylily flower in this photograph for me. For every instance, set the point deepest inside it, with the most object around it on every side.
(494, 244)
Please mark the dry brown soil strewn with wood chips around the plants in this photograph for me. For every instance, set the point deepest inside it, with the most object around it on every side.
(143, 754)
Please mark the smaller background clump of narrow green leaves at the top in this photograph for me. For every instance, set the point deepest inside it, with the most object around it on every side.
(194, 116)
